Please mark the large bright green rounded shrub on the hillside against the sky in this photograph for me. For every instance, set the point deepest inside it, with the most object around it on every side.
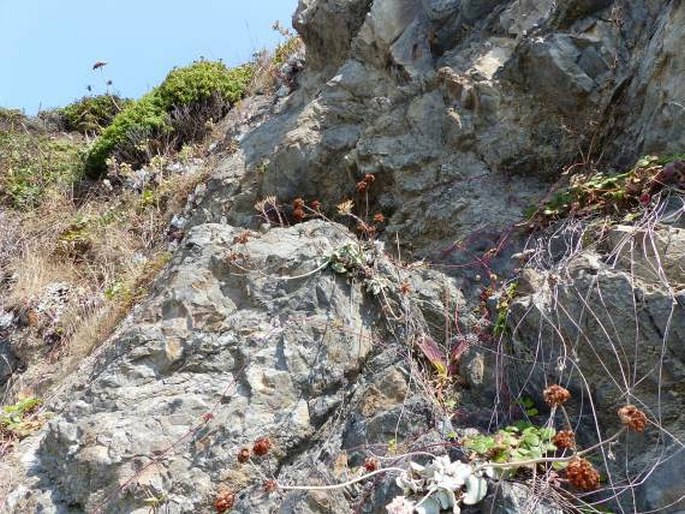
(173, 114)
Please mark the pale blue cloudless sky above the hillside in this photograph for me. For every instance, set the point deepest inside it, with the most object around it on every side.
(48, 47)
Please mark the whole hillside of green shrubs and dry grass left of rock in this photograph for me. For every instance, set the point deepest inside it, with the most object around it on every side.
(87, 196)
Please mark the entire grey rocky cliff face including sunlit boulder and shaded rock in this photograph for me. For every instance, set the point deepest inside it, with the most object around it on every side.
(464, 113)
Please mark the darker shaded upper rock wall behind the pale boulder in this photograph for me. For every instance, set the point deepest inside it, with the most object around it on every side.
(465, 111)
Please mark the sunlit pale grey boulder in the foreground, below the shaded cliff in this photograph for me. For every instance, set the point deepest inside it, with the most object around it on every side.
(243, 338)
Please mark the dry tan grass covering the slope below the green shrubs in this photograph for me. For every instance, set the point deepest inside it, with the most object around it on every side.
(105, 245)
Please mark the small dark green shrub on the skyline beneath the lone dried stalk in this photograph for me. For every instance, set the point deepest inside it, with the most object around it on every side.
(91, 114)
